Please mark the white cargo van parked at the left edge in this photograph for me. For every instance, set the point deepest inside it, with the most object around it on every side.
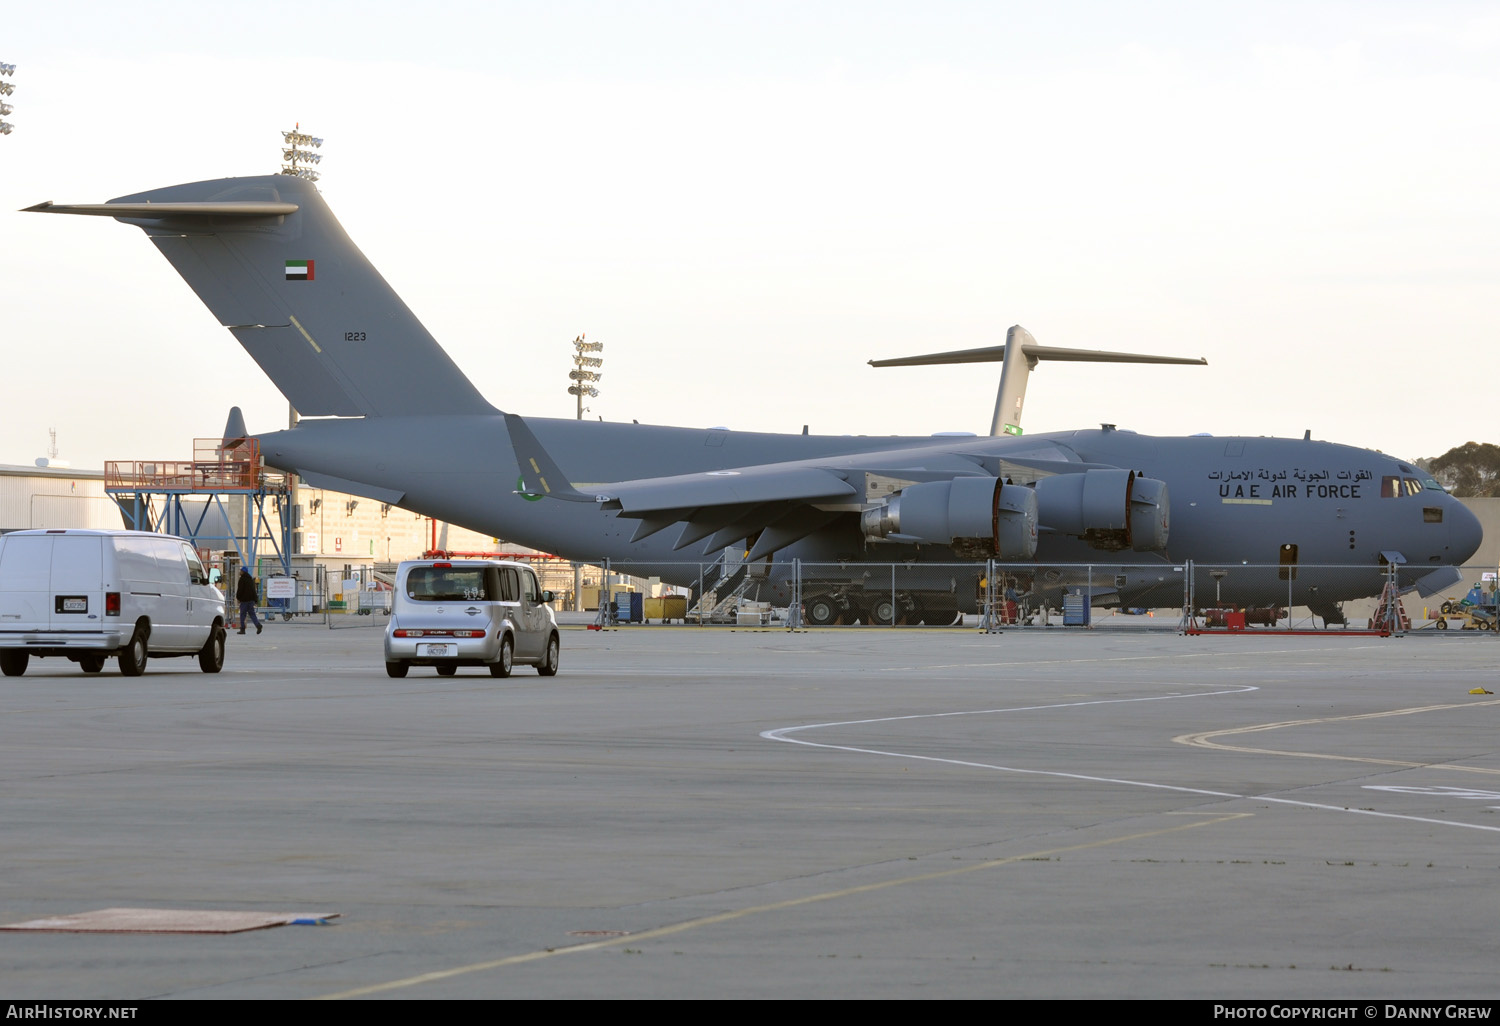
(91, 595)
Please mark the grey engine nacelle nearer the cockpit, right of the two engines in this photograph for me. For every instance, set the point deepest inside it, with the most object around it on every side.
(1109, 509)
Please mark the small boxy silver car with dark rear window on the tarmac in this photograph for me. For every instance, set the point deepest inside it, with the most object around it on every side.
(470, 613)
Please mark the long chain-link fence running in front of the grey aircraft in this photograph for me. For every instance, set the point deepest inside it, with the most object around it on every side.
(1136, 596)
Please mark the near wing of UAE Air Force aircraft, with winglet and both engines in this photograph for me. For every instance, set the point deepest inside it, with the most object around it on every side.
(979, 502)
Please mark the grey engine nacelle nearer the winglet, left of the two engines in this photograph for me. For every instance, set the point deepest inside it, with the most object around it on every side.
(979, 518)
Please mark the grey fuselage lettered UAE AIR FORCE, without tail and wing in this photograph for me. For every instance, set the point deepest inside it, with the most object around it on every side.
(1232, 500)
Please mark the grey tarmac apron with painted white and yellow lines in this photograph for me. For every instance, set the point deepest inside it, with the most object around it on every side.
(742, 814)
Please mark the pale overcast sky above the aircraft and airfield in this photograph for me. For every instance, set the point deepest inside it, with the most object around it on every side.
(746, 203)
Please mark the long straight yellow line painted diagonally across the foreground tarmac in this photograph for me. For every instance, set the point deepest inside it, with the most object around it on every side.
(758, 910)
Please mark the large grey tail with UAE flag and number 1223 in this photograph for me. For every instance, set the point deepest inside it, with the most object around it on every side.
(269, 259)
